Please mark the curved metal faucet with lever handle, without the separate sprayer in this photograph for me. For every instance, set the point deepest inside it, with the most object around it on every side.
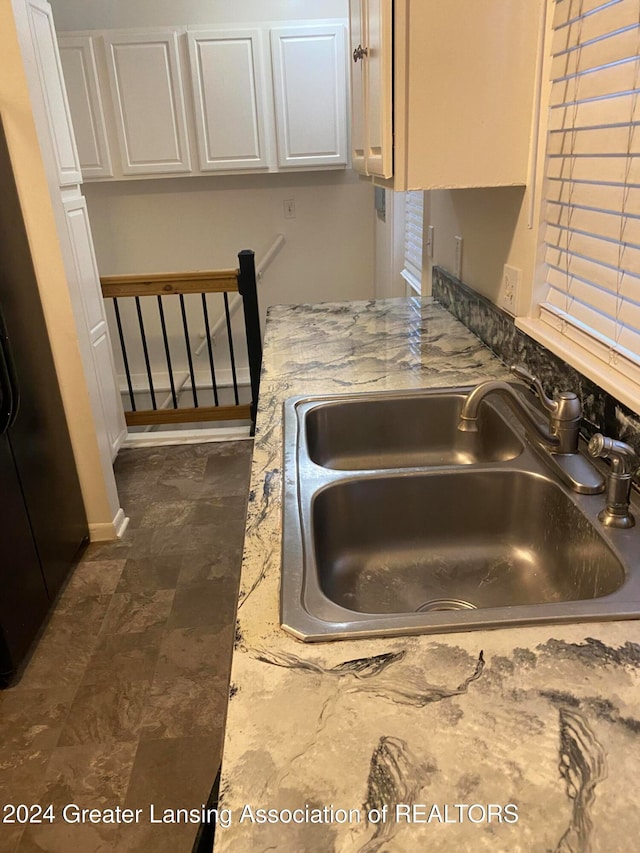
(559, 437)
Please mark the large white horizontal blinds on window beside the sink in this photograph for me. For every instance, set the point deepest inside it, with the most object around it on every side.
(592, 187)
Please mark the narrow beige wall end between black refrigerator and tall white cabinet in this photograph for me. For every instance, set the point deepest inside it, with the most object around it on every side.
(32, 186)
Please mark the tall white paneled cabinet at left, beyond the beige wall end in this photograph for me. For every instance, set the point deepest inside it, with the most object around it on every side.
(52, 117)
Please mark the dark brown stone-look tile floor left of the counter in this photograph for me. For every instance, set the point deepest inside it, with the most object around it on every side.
(123, 700)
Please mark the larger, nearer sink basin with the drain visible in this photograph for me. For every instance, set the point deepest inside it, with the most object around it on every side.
(438, 542)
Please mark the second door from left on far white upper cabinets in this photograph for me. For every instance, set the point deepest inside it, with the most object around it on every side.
(146, 87)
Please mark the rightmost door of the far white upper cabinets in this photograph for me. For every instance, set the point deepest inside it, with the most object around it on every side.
(310, 91)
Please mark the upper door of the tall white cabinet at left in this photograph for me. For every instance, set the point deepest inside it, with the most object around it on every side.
(49, 69)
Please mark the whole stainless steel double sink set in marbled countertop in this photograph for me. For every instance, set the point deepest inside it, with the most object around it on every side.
(396, 522)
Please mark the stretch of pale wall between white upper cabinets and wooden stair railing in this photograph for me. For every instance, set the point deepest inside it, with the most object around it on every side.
(202, 223)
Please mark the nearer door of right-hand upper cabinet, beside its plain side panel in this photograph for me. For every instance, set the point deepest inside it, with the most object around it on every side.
(379, 88)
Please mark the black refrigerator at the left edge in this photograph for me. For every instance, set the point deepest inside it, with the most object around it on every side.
(43, 525)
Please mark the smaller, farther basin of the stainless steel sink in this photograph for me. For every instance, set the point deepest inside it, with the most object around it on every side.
(383, 431)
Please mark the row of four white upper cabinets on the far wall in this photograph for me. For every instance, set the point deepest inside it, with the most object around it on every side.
(198, 100)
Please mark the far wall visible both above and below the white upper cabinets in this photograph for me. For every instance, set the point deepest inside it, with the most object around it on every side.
(202, 222)
